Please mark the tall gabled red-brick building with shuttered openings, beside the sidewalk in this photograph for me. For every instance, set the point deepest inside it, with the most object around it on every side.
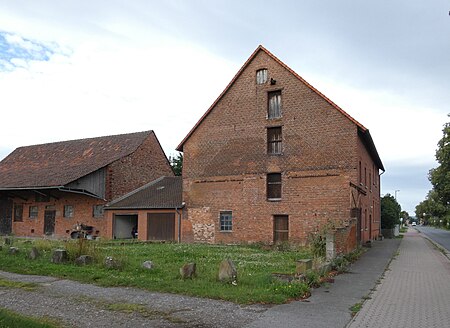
(274, 160)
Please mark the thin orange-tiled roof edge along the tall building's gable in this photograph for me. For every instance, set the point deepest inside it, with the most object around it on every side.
(361, 128)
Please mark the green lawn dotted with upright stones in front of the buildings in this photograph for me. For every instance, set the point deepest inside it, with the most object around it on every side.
(254, 264)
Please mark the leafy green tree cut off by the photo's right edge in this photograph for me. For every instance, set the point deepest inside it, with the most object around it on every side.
(440, 176)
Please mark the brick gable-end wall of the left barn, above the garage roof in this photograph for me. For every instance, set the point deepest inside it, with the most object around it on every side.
(146, 164)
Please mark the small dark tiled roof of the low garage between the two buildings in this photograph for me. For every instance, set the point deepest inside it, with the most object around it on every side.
(165, 192)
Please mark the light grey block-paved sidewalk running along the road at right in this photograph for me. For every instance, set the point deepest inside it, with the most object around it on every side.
(415, 291)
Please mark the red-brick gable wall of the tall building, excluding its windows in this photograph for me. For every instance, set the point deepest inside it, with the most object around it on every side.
(226, 161)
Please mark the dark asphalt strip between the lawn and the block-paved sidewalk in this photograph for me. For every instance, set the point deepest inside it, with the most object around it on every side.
(329, 306)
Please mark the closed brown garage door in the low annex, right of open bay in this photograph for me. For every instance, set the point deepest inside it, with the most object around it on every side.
(161, 226)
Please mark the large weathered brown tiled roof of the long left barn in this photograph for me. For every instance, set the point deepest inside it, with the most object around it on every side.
(59, 163)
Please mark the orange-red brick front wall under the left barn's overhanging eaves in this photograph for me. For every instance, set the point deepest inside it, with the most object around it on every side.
(83, 210)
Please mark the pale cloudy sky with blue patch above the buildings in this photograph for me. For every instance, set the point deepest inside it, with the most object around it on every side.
(76, 69)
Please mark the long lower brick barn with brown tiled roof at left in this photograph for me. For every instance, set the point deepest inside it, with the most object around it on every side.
(47, 189)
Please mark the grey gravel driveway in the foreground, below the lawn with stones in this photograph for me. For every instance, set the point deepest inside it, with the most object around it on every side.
(83, 305)
